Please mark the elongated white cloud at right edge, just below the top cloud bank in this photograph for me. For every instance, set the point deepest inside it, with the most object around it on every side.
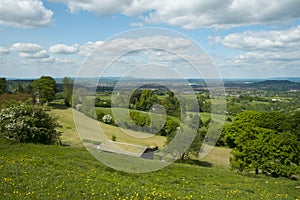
(263, 40)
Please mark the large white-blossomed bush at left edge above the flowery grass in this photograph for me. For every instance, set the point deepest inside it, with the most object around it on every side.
(27, 123)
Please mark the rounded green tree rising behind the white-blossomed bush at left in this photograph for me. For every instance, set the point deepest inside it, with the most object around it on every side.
(44, 89)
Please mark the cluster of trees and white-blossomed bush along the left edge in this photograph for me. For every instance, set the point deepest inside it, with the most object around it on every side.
(24, 114)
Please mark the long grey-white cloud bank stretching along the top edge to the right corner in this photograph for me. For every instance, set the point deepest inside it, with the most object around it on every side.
(192, 14)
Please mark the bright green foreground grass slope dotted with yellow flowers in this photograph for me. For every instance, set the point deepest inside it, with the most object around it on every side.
(30, 171)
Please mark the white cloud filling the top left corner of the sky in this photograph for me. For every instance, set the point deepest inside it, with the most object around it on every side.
(24, 13)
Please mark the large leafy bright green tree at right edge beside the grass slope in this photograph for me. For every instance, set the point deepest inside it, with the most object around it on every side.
(263, 141)
